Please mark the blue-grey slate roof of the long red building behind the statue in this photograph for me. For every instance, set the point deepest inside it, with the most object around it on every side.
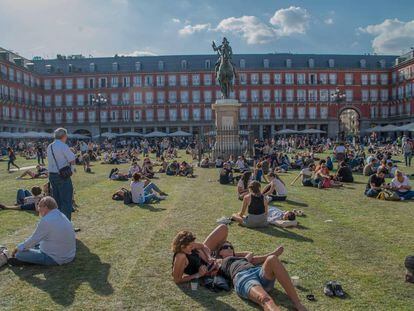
(173, 63)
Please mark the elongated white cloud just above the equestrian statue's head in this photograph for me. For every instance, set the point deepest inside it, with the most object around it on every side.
(249, 27)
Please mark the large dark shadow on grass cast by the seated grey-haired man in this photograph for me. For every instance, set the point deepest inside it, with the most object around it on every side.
(62, 282)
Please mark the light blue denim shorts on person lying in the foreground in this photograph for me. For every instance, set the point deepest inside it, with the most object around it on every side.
(249, 278)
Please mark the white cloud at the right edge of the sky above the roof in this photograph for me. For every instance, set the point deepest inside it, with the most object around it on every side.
(391, 36)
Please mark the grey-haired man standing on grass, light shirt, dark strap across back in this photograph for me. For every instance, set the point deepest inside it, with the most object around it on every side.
(60, 156)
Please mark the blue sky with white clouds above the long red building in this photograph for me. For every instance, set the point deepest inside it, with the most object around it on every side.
(106, 27)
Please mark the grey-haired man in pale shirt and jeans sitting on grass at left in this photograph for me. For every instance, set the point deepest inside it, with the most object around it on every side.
(53, 242)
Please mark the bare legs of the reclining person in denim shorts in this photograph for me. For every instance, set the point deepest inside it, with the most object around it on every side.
(274, 269)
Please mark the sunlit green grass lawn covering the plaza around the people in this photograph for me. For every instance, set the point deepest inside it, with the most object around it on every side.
(124, 258)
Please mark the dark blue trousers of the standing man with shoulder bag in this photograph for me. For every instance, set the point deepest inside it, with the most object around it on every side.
(62, 192)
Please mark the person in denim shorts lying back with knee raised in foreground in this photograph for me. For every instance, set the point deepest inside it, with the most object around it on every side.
(254, 276)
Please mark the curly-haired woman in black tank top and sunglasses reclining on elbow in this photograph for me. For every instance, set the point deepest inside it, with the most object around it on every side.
(192, 259)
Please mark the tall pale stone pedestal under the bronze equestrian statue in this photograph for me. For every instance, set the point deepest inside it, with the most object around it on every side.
(227, 129)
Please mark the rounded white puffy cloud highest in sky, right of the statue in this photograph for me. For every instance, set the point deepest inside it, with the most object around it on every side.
(290, 21)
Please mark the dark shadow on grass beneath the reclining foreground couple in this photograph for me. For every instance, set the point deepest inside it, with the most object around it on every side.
(207, 299)
